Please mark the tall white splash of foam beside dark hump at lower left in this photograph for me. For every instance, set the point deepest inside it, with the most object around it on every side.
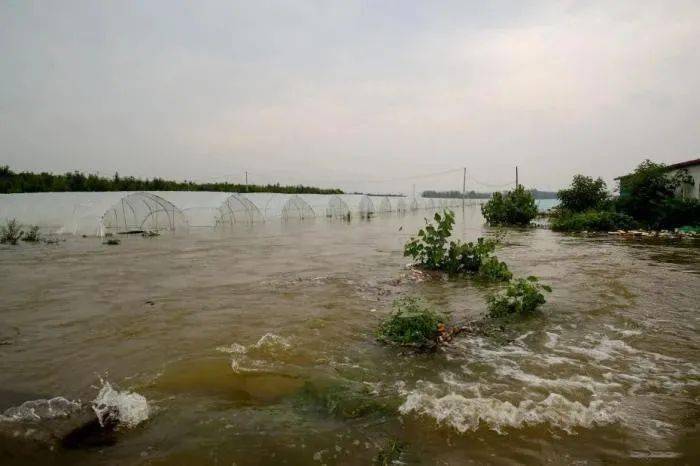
(128, 409)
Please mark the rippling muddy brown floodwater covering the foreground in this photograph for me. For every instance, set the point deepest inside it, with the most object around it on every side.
(255, 347)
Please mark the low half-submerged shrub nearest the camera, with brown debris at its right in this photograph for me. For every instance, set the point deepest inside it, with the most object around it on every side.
(412, 323)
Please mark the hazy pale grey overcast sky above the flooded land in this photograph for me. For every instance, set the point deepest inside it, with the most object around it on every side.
(372, 96)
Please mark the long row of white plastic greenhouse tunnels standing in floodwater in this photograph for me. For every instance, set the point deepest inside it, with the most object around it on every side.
(96, 213)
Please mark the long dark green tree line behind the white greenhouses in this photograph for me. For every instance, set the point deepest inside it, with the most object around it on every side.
(28, 182)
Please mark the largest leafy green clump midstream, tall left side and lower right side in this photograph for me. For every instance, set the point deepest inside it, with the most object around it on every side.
(430, 250)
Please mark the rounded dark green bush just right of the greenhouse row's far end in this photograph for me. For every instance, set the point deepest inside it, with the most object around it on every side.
(516, 207)
